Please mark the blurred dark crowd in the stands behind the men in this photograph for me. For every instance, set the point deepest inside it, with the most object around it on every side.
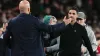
(58, 8)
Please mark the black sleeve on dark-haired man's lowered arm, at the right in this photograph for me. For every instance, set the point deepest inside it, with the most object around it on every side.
(87, 41)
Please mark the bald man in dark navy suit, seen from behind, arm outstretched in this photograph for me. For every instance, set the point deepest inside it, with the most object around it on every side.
(25, 31)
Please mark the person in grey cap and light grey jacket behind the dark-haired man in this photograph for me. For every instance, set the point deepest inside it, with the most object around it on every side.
(81, 20)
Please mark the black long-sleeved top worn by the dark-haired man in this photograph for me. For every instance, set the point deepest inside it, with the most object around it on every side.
(72, 39)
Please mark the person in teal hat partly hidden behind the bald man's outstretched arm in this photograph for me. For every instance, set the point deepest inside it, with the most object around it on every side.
(50, 20)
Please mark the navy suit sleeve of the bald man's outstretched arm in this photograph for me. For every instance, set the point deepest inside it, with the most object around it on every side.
(54, 30)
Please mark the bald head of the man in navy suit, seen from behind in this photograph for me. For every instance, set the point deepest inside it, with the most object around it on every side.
(24, 6)
